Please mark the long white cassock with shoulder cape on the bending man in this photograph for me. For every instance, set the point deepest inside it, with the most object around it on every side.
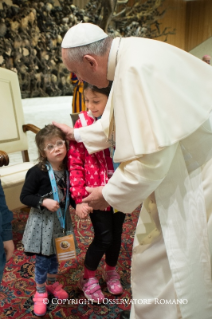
(159, 107)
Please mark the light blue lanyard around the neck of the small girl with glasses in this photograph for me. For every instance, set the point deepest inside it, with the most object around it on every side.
(60, 215)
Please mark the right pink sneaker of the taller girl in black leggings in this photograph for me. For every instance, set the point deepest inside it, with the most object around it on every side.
(112, 279)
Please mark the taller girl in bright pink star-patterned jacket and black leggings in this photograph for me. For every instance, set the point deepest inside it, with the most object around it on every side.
(95, 170)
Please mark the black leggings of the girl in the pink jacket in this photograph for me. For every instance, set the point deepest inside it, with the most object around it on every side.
(107, 238)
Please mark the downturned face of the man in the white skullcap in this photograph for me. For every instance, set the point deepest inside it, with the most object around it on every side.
(84, 72)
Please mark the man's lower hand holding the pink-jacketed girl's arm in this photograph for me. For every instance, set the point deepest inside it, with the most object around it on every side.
(95, 199)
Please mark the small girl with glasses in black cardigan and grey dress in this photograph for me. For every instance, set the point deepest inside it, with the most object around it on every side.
(43, 224)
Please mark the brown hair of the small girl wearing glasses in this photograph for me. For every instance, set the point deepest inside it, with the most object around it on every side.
(49, 131)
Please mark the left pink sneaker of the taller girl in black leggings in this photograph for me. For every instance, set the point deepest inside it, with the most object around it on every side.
(91, 289)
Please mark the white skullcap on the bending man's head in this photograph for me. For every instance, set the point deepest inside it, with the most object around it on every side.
(82, 34)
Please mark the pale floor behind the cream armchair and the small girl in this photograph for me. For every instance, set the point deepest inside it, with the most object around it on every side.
(42, 111)
